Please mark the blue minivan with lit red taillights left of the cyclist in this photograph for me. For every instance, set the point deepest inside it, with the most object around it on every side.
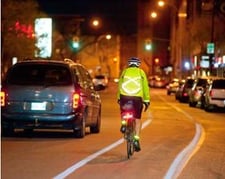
(48, 94)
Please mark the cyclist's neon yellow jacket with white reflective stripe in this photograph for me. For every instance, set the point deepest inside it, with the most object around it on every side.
(133, 82)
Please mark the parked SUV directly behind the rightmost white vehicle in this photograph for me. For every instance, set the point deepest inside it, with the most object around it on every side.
(195, 94)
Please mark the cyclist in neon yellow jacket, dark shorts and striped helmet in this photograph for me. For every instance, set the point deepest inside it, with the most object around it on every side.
(133, 86)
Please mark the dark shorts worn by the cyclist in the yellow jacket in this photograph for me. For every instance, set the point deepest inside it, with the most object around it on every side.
(126, 102)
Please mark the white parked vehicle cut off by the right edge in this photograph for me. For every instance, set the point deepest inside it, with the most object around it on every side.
(214, 96)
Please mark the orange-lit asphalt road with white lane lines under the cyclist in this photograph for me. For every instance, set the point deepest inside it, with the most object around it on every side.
(177, 142)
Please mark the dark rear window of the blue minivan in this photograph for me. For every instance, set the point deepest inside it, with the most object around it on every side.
(39, 74)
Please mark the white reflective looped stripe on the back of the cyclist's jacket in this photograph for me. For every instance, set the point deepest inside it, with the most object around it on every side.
(133, 80)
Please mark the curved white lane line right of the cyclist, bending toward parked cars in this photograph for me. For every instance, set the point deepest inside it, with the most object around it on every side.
(185, 155)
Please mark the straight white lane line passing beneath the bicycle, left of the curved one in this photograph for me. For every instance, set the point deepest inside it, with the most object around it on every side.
(81, 163)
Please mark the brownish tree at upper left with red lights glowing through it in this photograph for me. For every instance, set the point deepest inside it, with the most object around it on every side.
(17, 29)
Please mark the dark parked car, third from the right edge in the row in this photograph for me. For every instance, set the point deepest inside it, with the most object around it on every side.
(182, 94)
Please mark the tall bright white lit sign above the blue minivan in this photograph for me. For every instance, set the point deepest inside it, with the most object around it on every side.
(43, 33)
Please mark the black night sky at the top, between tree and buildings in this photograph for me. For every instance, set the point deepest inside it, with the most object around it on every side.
(115, 14)
